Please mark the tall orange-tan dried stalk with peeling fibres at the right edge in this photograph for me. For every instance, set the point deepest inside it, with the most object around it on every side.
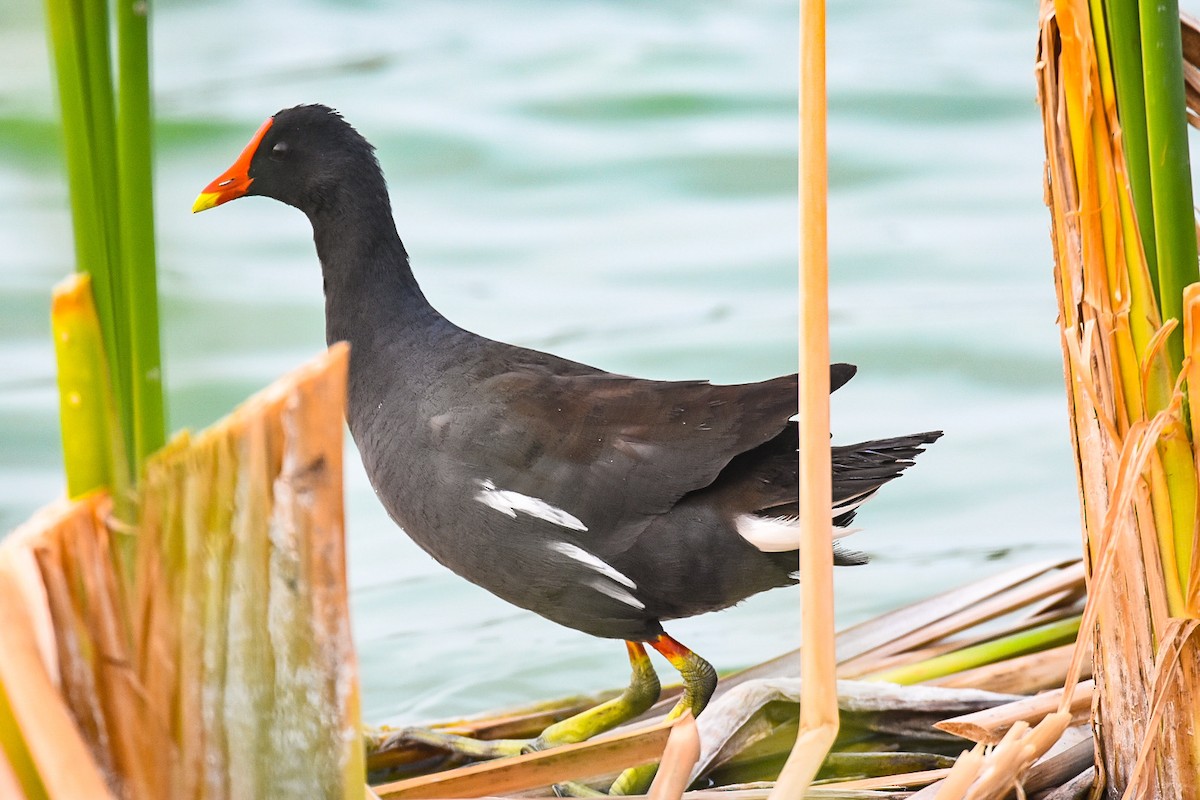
(1131, 417)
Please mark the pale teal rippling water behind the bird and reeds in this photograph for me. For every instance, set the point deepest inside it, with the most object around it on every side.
(615, 182)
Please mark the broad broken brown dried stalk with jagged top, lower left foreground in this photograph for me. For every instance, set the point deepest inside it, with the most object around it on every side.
(224, 669)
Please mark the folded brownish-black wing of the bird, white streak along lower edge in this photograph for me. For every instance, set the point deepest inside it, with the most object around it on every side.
(611, 452)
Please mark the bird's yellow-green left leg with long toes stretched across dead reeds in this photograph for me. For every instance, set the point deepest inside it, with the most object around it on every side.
(639, 696)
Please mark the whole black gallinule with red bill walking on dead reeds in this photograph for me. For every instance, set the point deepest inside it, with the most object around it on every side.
(601, 502)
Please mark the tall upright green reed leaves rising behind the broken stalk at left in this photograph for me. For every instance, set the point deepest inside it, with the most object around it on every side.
(107, 136)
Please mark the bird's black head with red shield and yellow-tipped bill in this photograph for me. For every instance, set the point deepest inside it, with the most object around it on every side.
(303, 157)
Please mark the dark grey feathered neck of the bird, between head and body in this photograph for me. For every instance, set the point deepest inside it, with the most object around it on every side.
(370, 292)
